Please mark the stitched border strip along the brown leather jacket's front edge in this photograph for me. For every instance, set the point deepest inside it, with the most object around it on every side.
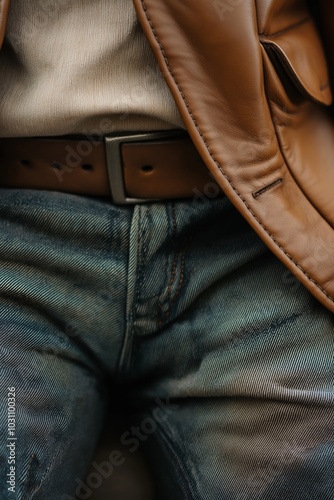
(219, 166)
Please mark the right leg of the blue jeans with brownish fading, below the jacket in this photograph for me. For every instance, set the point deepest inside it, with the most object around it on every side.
(238, 382)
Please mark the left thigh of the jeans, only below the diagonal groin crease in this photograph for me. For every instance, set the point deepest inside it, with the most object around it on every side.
(52, 407)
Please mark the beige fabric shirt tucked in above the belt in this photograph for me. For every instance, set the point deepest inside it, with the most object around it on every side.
(80, 66)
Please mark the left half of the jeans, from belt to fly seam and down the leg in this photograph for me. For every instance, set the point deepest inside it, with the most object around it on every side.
(62, 289)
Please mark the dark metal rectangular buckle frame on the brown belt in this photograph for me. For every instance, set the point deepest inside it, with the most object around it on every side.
(115, 164)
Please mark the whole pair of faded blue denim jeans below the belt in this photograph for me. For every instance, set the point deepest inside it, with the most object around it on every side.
(177, 310)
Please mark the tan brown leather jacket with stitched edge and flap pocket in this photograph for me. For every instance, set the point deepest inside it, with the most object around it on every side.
(250, 78)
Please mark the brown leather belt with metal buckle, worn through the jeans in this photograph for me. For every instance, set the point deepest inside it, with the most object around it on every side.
(130, 168)
